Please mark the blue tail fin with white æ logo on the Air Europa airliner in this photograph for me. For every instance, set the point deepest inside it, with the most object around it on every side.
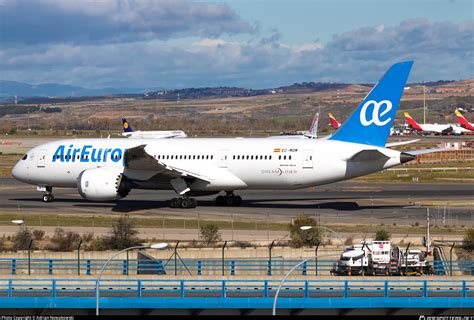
(370, 123)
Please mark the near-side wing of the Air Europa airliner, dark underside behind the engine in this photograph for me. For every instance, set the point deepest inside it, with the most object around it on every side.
(137, 161)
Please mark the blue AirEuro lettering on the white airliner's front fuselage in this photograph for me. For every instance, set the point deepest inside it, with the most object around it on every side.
(86, 154)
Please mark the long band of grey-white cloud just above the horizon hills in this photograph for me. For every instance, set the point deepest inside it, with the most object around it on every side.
(440, 50)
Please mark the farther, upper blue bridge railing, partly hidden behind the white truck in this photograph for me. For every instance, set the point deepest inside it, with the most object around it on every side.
(228, 266)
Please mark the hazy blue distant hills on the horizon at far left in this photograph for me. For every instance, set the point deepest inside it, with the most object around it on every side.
(22, 90)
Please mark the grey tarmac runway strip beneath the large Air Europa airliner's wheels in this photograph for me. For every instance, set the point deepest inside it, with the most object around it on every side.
(342, 202)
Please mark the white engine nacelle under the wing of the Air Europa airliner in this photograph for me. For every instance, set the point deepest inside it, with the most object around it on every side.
(102, 184)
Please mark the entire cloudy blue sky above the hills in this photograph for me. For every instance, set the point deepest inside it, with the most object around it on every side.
(244, 43)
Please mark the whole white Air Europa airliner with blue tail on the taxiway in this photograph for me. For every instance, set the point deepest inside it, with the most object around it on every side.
(107, 169)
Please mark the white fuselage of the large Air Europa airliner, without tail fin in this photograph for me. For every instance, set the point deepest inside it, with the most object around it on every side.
(232, 163)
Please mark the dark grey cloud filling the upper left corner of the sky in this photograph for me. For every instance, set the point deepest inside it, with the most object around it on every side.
(113, 21)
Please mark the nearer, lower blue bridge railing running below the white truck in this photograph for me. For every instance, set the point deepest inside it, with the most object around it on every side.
(236, 288)
